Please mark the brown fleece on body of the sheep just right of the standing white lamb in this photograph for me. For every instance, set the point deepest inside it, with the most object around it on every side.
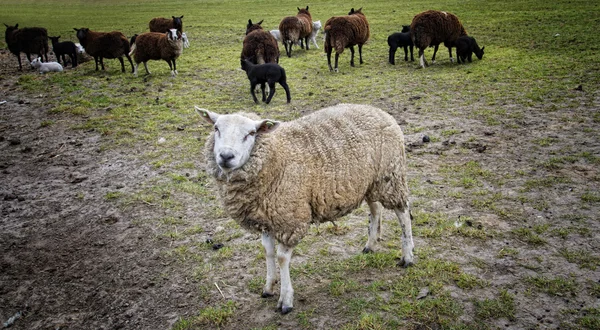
(346, 31)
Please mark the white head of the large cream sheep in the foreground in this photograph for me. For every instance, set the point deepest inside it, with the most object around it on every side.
(235, 136)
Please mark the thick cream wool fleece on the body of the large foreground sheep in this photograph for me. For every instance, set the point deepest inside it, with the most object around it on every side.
(315, 169)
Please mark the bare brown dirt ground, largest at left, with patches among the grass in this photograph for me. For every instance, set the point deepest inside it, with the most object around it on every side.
(71, 259)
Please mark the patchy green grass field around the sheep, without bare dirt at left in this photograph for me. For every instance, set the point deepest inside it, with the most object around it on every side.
(505, 196)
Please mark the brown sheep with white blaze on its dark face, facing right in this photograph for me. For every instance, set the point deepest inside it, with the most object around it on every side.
(157, 46)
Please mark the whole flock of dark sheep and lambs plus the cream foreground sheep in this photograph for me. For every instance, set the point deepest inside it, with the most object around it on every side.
(278, 178)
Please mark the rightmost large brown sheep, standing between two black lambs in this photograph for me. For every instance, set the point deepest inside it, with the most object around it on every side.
(432, 27)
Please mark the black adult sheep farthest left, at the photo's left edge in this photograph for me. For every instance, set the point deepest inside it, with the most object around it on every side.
(32, 40)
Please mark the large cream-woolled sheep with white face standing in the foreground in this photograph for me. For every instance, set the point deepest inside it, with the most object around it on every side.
(278, 178)
